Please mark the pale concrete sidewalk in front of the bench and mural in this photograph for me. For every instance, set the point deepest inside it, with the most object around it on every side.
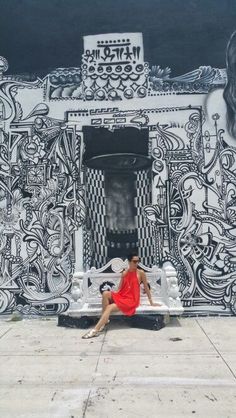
(187, 369)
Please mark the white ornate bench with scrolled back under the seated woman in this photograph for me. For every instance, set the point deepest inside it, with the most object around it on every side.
(86, 299)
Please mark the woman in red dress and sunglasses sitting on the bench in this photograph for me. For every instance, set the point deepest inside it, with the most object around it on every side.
(126, 299)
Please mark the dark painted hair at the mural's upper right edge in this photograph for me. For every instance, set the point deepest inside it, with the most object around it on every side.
(230, 88)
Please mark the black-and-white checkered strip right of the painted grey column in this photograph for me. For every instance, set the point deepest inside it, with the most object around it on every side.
(143, 198)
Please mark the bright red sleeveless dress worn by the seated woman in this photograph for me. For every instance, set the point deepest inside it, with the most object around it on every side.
(128, 297)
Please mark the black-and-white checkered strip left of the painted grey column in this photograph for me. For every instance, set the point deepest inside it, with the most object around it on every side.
(95, 196)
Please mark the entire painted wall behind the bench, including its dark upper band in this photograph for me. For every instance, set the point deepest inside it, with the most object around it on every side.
(117, 133)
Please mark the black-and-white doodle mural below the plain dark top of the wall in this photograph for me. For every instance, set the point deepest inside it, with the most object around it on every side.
(115, 155)
